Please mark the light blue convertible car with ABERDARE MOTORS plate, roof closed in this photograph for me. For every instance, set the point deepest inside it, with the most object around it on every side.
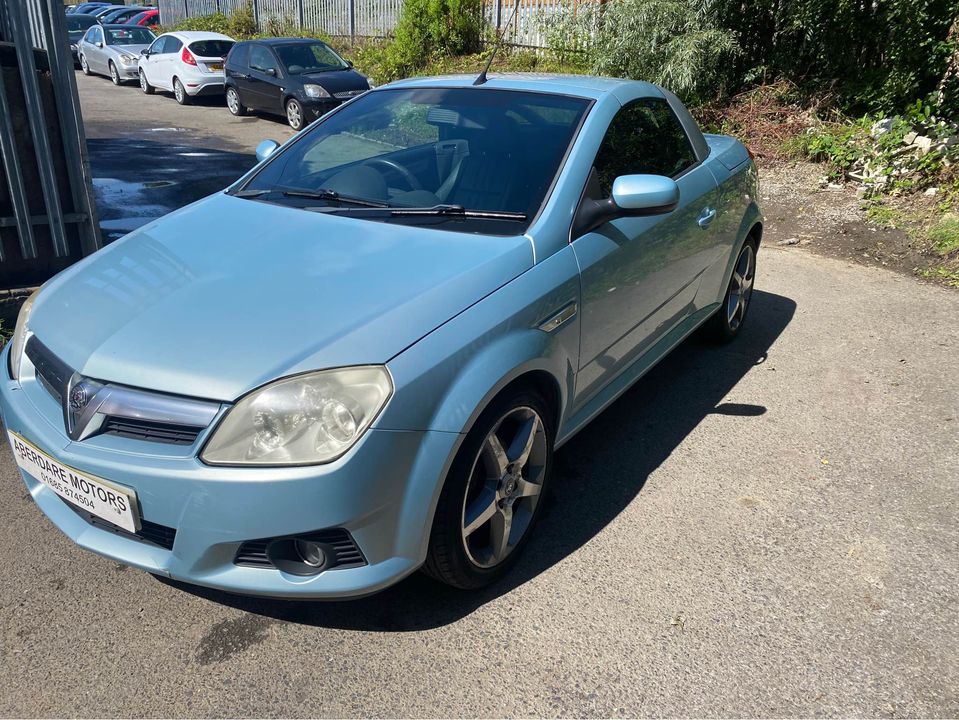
(359, 359)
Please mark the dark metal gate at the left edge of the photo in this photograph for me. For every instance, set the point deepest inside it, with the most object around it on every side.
(47, 214)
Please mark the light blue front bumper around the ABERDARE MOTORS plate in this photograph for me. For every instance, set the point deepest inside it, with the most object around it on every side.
(382, 492)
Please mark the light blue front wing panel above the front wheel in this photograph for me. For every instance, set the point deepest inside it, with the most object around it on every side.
(444, 381)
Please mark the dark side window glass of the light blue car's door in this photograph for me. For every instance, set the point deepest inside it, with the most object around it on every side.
(645, 137)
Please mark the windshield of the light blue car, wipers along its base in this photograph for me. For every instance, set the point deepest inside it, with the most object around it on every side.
(449, 150)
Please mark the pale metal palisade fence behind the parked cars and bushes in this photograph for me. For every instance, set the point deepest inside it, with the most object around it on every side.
(361, 18)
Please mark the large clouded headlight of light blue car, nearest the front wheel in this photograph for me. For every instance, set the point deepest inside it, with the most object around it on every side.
(301, 420)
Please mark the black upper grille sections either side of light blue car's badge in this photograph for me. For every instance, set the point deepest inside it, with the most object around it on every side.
(54, 375)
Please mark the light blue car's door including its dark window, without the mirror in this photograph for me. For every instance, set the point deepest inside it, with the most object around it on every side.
(639, 275)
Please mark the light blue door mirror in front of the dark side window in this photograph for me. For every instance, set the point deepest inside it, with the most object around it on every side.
(632, 196)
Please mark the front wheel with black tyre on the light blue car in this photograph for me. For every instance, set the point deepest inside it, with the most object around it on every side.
(493, 494)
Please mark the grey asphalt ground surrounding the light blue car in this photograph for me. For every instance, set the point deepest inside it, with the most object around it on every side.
(769, 528)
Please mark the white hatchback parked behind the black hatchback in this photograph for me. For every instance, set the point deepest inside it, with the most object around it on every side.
(186, 63)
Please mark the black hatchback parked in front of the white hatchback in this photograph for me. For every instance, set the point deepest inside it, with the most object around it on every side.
(296, 77)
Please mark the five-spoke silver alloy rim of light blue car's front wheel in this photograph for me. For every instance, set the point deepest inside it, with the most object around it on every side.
(504, 487)
